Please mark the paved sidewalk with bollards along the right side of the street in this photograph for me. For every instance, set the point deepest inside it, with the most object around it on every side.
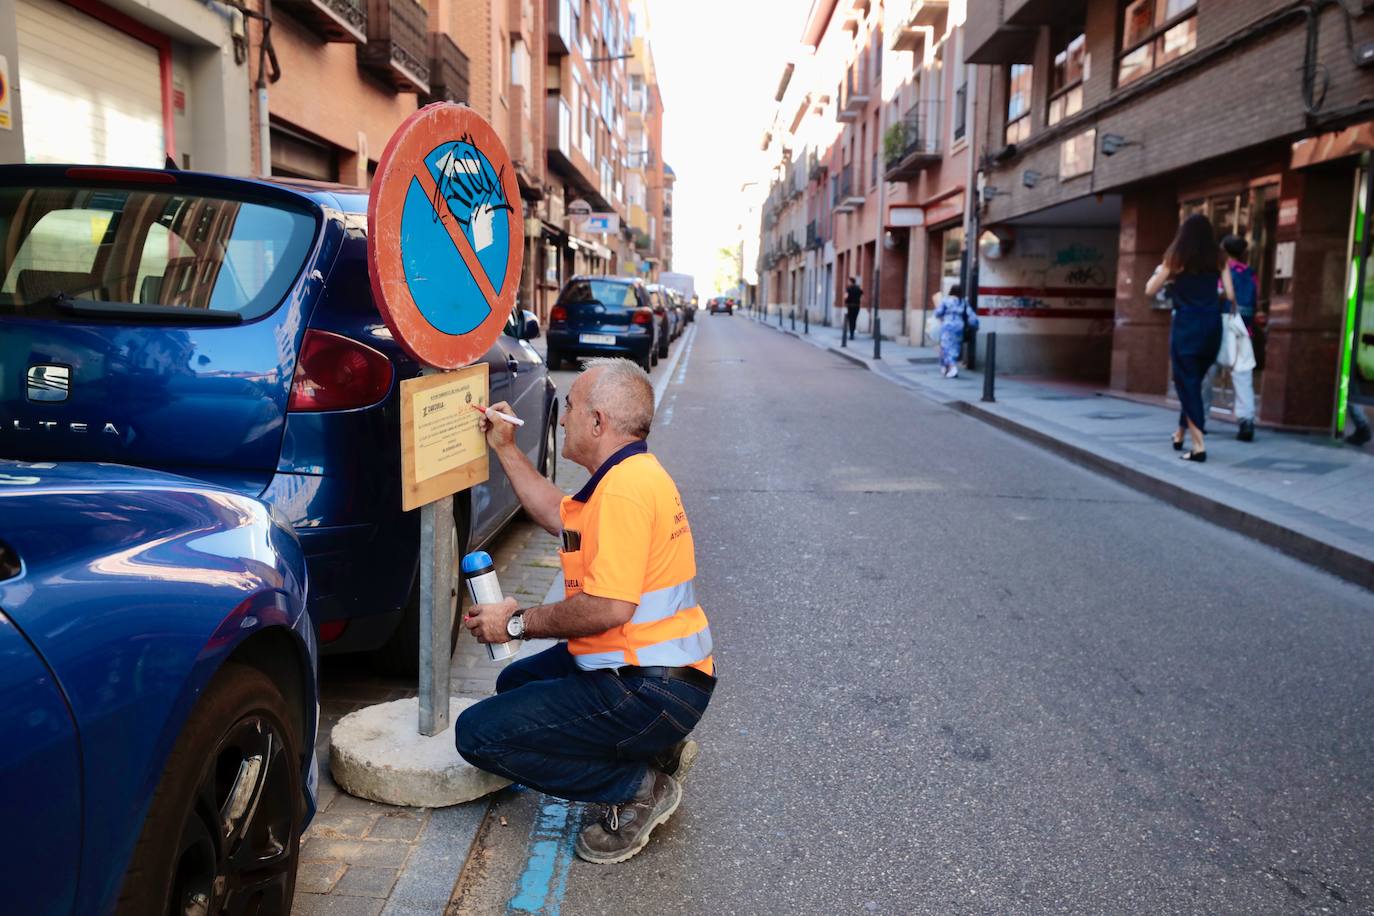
(1302, 494)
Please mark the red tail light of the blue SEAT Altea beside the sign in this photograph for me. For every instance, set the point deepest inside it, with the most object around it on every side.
(337, 374)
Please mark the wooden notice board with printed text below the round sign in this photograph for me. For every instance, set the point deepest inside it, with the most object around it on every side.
(443, 448)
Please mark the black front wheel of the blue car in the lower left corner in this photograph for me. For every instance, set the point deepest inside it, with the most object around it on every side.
(182, 852)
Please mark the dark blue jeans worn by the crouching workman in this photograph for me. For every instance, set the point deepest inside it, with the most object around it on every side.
(587, 737)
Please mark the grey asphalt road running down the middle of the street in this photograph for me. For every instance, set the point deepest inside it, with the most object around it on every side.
(964, 676)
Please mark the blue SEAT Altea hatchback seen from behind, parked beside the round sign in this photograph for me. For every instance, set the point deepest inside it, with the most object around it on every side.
(225, 329)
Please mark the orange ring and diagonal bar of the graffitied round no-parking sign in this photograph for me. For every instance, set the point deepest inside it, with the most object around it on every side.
(403, 160)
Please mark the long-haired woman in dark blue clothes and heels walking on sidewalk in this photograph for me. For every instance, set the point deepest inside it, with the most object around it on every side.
(1192, 270)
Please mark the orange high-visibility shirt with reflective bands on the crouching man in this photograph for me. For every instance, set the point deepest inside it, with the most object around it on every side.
(626, 538)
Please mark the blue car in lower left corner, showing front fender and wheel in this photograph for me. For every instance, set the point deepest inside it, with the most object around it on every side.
(159, 674)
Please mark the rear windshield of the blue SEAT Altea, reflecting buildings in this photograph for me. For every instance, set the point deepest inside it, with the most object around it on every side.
(166, 251)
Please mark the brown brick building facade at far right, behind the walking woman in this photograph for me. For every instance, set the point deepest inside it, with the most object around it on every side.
(1111, 122)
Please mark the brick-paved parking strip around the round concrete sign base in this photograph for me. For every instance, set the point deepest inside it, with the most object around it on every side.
(362, 859)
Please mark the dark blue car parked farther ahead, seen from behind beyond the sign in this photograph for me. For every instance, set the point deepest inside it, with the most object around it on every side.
(605, 317)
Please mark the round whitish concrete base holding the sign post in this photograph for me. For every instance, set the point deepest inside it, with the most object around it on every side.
(377, 753)
